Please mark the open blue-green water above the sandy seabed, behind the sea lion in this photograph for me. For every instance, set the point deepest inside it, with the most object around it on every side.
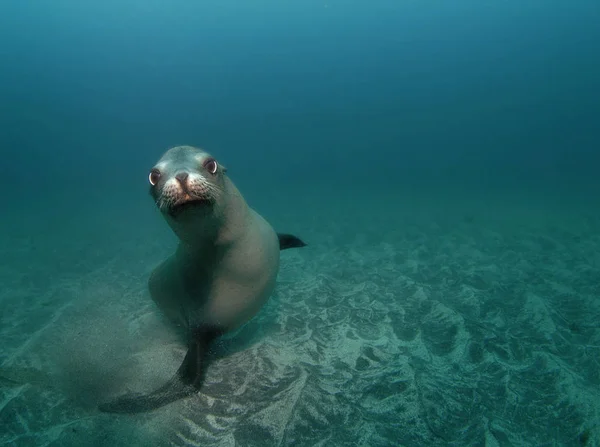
(502, 94)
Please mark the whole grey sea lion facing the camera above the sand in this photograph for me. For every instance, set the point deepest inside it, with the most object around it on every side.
(221, 274)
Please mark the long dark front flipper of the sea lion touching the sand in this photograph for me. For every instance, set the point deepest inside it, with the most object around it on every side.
(185, 382)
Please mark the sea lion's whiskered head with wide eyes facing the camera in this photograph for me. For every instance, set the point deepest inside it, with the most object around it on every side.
(186, 181)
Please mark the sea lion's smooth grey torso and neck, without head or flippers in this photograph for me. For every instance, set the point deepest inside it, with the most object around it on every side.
(223, 285)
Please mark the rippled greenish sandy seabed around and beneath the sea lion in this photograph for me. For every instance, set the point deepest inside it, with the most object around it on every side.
(406, 322)
